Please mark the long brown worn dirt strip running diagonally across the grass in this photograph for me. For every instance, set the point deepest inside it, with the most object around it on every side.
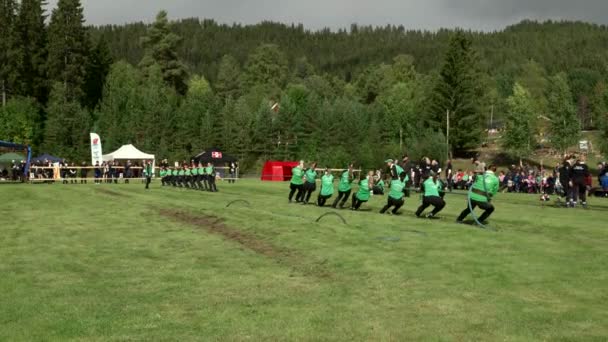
(283, 256)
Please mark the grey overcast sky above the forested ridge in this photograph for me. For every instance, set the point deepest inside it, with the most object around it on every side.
(316, 14)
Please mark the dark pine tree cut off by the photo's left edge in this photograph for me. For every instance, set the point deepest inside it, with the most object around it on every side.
(10, 51)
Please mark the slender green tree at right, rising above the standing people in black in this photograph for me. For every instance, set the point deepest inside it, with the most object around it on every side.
(565, 127)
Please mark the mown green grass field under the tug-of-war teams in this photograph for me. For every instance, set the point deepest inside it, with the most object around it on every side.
(114, 262)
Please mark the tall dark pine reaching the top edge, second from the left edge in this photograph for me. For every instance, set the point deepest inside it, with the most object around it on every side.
(33, 34)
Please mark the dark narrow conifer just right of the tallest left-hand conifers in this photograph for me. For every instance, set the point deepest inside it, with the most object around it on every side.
(98, 67)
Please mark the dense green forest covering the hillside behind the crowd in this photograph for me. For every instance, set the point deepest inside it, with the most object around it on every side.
(174, 88)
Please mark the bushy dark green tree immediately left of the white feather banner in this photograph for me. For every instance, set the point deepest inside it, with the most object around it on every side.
(67, 128)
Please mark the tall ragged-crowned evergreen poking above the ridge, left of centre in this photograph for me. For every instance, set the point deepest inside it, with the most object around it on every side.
(160, 46)
